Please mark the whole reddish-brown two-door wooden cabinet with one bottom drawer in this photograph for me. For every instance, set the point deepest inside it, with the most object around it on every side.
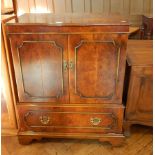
(69, 72)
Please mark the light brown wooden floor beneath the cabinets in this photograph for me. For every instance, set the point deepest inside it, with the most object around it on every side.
(140, 143)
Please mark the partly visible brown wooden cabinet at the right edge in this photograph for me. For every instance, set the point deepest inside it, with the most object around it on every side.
(139, 107)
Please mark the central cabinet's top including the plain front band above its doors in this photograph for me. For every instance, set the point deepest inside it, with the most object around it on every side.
(67, 23)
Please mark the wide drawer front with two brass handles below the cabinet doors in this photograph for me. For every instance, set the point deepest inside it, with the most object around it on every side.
(69, 119)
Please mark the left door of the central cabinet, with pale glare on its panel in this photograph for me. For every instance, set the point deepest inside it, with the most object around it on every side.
(39, 63)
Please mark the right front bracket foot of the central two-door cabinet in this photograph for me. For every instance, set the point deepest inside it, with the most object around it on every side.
(114, 141)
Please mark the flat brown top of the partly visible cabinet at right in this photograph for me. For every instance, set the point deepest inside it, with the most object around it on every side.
(140, 52)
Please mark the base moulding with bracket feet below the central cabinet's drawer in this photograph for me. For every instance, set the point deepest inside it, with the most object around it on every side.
(114, 139)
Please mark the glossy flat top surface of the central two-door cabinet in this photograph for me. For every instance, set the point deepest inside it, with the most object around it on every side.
(68, 19)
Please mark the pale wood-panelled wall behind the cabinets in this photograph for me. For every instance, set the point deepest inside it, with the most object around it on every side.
(128, 7)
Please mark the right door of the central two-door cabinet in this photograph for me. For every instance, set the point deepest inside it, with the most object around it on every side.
(97, 63)
